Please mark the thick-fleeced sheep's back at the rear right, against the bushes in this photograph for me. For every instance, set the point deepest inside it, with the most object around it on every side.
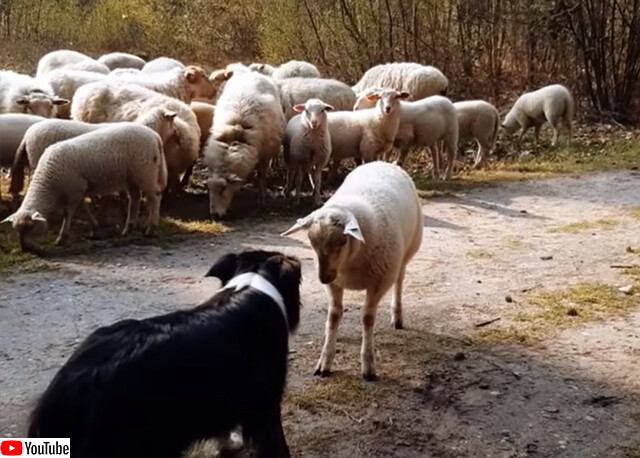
(419, 80)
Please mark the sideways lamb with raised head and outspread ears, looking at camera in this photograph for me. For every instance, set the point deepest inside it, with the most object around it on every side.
(366, 134)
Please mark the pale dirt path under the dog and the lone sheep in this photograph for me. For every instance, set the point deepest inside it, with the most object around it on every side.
(445, 388)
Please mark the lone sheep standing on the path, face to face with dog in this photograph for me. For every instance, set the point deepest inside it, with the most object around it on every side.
(363, 237)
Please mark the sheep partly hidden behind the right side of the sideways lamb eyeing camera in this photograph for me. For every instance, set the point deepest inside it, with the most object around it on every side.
(428, 123)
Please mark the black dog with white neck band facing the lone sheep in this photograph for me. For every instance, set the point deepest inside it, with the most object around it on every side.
(150, 388)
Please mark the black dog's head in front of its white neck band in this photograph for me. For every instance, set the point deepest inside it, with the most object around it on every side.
(283, 272)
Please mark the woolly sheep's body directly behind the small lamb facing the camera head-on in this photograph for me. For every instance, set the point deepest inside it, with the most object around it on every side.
(296, 91)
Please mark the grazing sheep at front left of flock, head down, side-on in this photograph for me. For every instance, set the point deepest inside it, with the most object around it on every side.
(109, 160)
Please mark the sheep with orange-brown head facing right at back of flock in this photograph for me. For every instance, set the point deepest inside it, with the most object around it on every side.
(183, 84)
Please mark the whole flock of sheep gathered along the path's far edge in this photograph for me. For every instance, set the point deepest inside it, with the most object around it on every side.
(139, 127)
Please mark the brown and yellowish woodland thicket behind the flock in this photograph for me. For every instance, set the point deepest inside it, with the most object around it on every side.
(492, 49)
